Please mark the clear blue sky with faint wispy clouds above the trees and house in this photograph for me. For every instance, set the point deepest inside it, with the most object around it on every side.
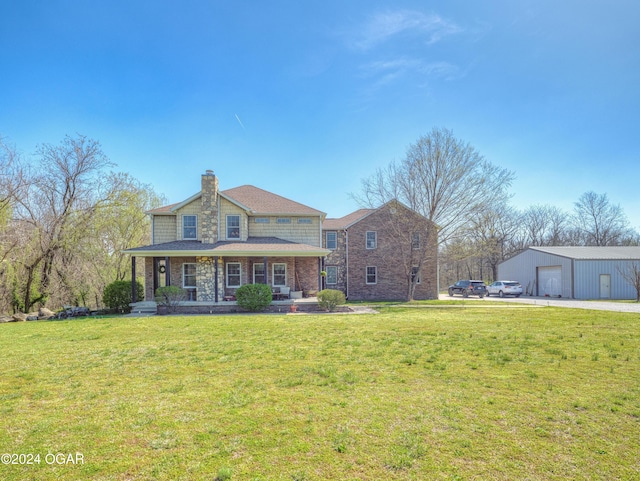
(306, 98)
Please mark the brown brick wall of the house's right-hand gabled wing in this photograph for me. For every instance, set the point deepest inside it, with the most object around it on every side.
(392, 256)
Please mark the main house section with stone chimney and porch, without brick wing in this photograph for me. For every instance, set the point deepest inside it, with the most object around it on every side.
(215, 241)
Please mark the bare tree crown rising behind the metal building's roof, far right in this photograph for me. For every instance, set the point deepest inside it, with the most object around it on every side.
(599, 222)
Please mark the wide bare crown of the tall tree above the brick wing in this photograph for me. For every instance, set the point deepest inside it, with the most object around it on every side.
(442, 178)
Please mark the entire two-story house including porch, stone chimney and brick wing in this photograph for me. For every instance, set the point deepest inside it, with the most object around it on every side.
(216, 241)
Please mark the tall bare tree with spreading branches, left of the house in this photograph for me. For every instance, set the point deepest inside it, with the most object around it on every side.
(60, 199)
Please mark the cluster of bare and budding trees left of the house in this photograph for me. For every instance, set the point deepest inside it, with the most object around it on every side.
(65, 219)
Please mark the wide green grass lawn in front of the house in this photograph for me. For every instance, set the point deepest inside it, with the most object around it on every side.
(433, 393)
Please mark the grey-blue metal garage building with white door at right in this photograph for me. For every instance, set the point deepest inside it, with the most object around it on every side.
(574, 272)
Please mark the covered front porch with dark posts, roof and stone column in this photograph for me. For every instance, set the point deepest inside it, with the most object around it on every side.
(211, 273)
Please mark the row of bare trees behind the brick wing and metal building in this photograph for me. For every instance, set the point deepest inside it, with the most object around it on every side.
(468, 198)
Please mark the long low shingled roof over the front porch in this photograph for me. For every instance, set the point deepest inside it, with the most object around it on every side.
(253, 247)
